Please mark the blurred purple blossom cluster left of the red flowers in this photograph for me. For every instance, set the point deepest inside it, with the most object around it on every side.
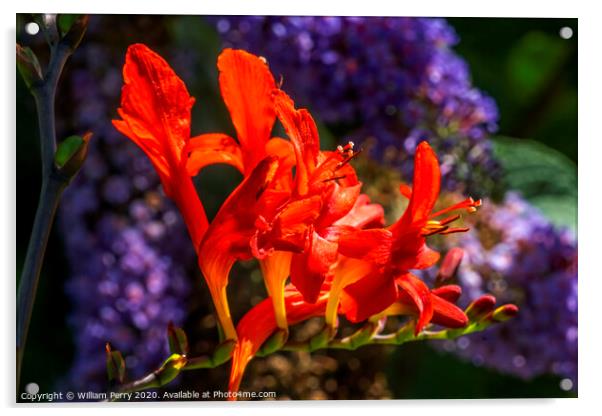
(127, 247)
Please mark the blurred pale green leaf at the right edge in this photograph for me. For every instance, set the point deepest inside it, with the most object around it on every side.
(544, 176)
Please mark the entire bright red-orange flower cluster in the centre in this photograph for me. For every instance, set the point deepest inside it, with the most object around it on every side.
(299, 210)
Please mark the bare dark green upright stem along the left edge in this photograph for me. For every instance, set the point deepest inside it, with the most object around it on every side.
(53, 184)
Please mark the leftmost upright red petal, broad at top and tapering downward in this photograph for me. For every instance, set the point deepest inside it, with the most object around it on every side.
(155, 115)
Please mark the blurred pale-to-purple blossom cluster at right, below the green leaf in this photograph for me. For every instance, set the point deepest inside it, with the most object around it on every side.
(517, 255)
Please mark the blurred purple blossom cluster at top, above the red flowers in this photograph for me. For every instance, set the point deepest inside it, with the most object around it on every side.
(387, 82)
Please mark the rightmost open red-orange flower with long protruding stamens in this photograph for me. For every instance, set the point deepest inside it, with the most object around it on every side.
(374, 263)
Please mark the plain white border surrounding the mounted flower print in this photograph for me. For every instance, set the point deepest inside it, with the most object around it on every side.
(590, 149)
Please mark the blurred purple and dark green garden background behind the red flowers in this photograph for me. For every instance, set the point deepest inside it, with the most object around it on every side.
(496, 97)
